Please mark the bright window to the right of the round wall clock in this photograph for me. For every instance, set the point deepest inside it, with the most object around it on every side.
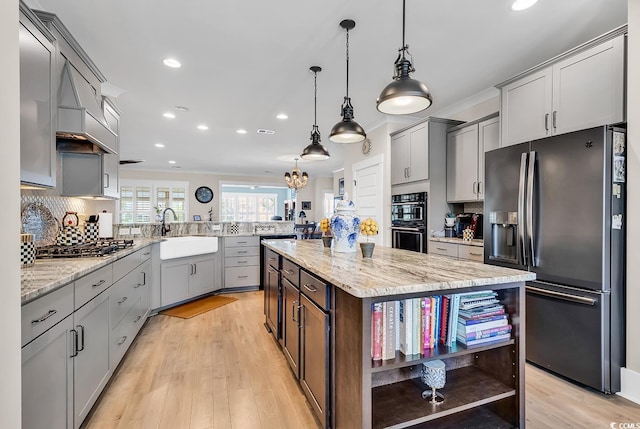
(247, 207)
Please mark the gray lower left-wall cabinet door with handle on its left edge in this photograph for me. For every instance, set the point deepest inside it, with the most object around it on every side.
(91, 364)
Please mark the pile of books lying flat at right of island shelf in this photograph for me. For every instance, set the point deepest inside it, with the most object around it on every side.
(481, 319)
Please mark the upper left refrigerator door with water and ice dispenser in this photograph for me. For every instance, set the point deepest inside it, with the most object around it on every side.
(503, 227)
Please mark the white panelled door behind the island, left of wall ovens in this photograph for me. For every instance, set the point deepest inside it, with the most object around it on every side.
(368, 192)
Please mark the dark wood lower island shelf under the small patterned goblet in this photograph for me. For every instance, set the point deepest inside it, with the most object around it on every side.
(466, 388)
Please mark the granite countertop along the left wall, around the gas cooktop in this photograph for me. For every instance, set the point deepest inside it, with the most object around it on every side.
(48, 274)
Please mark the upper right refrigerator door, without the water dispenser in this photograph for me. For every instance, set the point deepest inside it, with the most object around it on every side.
(570, 209)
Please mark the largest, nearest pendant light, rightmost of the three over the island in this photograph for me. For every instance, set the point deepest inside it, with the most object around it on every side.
(404, 95)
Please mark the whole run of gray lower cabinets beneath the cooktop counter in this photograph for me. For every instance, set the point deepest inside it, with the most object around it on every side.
(70, 340)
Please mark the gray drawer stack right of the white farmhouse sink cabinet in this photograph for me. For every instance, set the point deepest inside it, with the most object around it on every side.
(242, 261)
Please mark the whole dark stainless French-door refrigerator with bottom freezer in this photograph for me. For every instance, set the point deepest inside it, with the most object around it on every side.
(556, 206)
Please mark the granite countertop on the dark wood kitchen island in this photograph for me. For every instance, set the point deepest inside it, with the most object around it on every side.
(392, 271)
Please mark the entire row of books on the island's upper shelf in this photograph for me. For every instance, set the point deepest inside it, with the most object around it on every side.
(416, 326)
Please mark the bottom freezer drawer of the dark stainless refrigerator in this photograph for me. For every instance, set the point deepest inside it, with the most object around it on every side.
(568, 331)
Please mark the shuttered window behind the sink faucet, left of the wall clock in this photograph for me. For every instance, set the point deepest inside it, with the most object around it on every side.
(143, 202)
